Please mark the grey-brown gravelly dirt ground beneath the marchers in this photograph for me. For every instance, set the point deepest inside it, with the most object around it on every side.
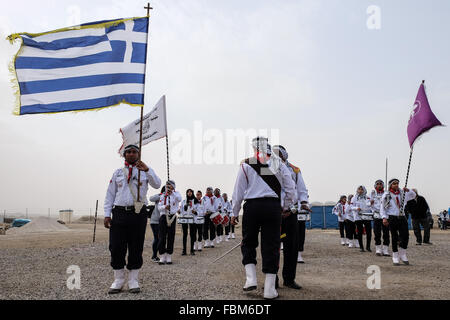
(34, 266)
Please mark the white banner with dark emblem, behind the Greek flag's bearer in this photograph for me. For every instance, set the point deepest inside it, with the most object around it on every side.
(154, 127)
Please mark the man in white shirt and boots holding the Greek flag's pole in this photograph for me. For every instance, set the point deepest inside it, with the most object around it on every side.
(126, 227)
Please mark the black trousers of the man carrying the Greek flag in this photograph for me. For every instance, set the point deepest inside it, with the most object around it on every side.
(127, 232)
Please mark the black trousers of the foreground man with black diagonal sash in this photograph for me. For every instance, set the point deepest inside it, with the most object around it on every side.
(262, 214)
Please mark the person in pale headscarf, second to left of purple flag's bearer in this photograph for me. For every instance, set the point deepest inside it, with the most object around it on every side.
(361, 205)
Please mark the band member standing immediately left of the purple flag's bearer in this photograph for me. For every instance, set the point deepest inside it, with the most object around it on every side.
(378, 226)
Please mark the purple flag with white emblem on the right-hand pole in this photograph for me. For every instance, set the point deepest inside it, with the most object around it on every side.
(422, 118)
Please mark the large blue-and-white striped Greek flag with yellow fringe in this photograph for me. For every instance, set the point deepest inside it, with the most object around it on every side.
(91, 66)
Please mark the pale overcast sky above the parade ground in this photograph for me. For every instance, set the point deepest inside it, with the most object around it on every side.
(338, 93)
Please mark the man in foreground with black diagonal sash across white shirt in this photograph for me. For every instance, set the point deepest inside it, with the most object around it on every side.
(259, 182)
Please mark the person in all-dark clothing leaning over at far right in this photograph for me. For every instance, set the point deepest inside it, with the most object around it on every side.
(419, 210)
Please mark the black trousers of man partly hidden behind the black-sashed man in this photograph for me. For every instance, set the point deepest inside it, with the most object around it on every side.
(290, 227)
